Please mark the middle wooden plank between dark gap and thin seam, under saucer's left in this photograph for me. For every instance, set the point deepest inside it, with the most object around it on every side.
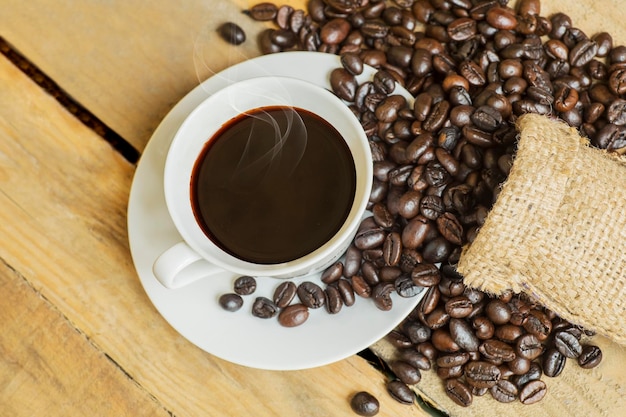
(63, 193)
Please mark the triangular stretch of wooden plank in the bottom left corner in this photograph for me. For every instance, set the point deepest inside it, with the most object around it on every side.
(50, 368)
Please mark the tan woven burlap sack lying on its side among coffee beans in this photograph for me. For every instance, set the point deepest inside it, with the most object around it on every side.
(558, 229)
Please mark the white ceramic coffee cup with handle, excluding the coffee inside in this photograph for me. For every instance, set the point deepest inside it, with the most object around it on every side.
(197, 256)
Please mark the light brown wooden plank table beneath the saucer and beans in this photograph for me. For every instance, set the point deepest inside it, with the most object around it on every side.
(78, 335)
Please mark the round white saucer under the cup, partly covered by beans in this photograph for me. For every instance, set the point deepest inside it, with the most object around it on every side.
(193, 310)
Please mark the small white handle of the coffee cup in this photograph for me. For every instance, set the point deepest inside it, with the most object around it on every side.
(171, 267)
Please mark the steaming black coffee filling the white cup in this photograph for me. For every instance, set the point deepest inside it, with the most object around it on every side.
(273, 185)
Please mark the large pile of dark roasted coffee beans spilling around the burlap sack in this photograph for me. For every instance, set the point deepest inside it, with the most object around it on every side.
(473, 67)
